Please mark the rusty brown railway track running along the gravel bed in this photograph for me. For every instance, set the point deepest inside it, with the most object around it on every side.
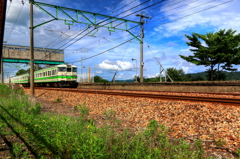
(225, 101)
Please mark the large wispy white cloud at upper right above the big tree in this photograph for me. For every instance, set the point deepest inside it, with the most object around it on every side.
(221, 17)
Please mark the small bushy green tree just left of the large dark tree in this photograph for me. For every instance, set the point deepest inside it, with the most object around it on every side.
(175, 74)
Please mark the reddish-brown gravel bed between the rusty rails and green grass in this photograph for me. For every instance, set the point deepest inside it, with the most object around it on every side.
(218, 126)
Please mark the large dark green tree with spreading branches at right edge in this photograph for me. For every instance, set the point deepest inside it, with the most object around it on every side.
(222, 50)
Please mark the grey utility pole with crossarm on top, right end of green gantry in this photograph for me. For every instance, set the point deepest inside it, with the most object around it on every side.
(142, 16)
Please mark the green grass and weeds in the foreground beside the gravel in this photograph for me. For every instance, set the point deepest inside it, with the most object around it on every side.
(58, 136)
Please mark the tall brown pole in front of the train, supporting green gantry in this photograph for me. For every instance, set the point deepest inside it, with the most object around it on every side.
(31, 51)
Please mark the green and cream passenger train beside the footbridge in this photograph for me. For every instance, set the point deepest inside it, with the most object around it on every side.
(57, 76)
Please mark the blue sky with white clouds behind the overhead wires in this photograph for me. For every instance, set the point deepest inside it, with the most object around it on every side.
(164, 38)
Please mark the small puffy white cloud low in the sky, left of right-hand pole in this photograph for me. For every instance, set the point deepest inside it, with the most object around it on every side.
(116, 65)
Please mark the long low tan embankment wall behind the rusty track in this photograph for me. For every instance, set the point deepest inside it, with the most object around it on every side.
(203, 86)
